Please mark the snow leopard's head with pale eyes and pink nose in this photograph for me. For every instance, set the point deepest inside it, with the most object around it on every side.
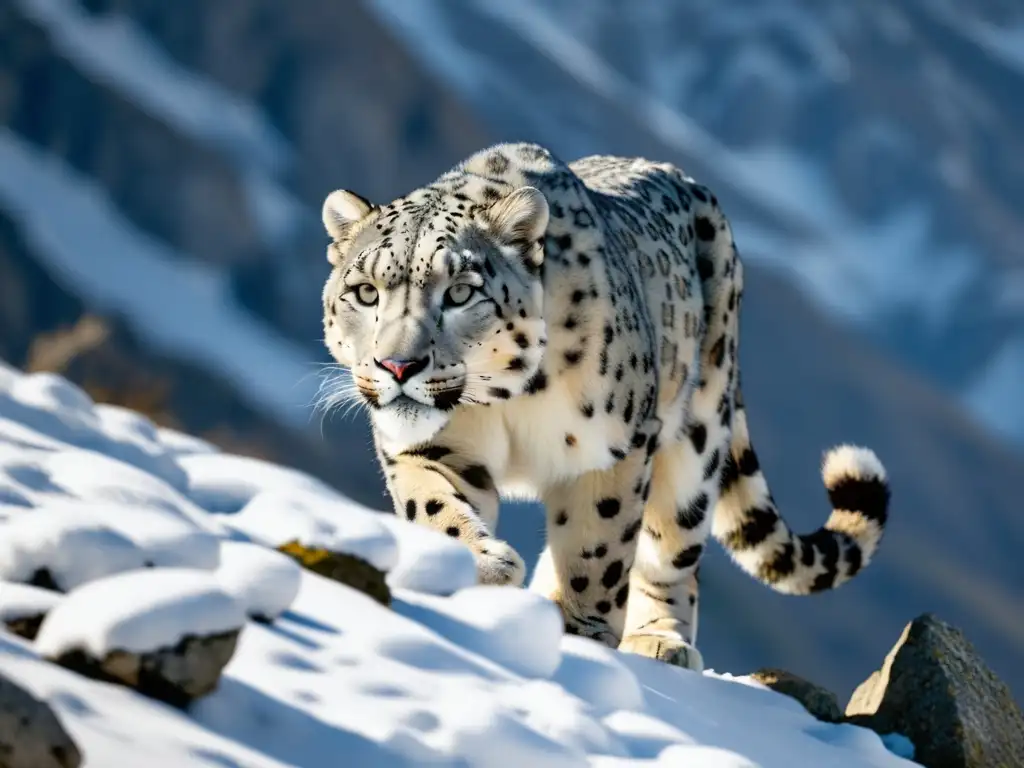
(436, 302)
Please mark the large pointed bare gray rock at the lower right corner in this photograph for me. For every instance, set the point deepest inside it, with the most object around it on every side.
(937, 692)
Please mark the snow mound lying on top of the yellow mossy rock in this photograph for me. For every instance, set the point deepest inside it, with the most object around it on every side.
(276, 518)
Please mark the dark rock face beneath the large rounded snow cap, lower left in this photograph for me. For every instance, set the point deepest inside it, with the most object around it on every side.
(176, 675)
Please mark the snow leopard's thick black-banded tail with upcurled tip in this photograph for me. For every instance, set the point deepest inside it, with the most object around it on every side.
(746, 521)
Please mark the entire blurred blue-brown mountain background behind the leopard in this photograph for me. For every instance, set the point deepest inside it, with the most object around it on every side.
(162, 167)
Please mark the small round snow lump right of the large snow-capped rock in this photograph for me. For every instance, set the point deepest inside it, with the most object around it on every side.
(264, 581)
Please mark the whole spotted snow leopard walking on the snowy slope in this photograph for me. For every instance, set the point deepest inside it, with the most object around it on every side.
(529, 328)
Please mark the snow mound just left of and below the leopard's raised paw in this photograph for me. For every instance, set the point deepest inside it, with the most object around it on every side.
(429, 562)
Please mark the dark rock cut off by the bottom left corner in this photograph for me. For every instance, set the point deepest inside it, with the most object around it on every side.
(31, 736)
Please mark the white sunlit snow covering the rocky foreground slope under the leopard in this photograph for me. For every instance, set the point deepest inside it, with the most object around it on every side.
(451, 674)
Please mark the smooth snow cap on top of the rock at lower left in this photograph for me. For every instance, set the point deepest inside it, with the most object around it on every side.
(140, 613)
